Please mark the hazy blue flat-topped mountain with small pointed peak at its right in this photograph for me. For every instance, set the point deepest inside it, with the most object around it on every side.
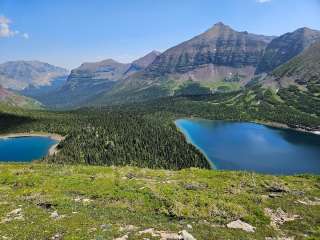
(91, 79)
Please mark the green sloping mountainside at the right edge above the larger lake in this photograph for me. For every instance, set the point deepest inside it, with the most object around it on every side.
(298, 81)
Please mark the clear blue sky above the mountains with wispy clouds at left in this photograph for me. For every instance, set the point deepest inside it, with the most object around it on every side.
(69, 32)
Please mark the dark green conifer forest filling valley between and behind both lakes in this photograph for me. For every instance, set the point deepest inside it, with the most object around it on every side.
(144, 134)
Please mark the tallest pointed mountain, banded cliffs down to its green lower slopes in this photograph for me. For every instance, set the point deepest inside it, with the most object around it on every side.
(219, 55)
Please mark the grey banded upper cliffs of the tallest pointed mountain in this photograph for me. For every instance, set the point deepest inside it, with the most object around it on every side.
(220, 46)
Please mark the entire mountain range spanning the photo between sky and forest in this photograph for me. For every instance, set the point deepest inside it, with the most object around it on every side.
(220, 59)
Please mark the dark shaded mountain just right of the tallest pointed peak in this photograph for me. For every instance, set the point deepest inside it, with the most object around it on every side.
(286, 47)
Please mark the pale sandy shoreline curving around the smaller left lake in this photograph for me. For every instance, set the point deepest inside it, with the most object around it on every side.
(52, 150)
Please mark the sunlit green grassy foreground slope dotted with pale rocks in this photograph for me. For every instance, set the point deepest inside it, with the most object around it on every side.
(40, 201)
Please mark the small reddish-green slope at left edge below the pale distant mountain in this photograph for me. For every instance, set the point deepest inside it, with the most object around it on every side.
(10, 98)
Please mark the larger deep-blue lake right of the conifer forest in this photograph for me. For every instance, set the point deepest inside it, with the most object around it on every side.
(254, 147)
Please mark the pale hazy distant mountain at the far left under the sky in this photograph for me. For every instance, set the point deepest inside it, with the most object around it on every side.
(19, 75)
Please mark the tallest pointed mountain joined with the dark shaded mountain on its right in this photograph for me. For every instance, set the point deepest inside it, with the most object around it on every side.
(220, 59)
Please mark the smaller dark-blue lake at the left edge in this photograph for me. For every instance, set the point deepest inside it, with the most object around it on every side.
(24, 149)
